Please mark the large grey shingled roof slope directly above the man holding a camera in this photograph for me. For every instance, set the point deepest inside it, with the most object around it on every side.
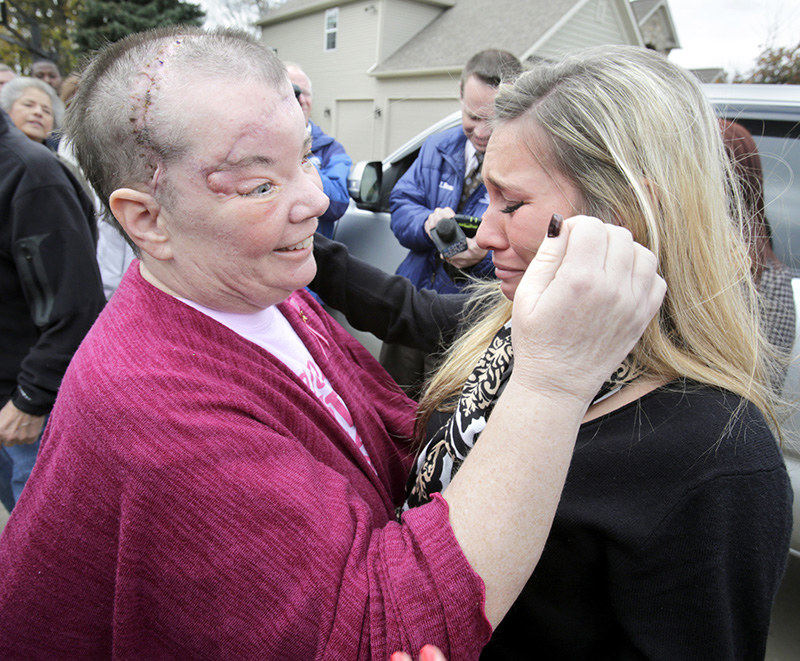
(467, 27)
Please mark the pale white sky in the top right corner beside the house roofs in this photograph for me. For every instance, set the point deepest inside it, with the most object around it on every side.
(731, 33)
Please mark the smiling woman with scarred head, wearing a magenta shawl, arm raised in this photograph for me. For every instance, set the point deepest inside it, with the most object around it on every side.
(221, 469)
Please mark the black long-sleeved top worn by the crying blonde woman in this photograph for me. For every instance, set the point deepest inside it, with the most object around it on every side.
(671, 535)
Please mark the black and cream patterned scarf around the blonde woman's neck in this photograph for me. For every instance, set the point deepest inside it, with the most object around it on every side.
(443, 454)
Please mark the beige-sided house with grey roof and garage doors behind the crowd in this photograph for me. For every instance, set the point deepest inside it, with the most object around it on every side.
(383, 70)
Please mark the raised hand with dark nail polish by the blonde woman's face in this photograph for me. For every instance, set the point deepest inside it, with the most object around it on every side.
(581, 306)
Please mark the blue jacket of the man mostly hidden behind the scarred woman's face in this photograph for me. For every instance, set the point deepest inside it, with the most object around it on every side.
(333, 165)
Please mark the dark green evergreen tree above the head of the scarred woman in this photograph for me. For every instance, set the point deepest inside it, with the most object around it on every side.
(103, 21)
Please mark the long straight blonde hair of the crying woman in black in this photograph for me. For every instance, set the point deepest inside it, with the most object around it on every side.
(637, 137)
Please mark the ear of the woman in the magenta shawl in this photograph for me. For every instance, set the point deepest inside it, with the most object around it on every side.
(139, 214)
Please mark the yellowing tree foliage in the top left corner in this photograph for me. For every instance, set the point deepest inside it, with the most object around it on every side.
(34, 29)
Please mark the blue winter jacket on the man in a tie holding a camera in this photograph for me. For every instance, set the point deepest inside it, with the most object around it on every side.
(435, 179)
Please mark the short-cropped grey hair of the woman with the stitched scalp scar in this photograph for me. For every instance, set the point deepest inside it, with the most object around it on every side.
(121, 124)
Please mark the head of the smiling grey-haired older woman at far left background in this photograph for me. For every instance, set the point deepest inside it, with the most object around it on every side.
(33, 107)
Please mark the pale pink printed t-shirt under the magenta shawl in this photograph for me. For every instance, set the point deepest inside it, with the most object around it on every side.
(270, 330)
